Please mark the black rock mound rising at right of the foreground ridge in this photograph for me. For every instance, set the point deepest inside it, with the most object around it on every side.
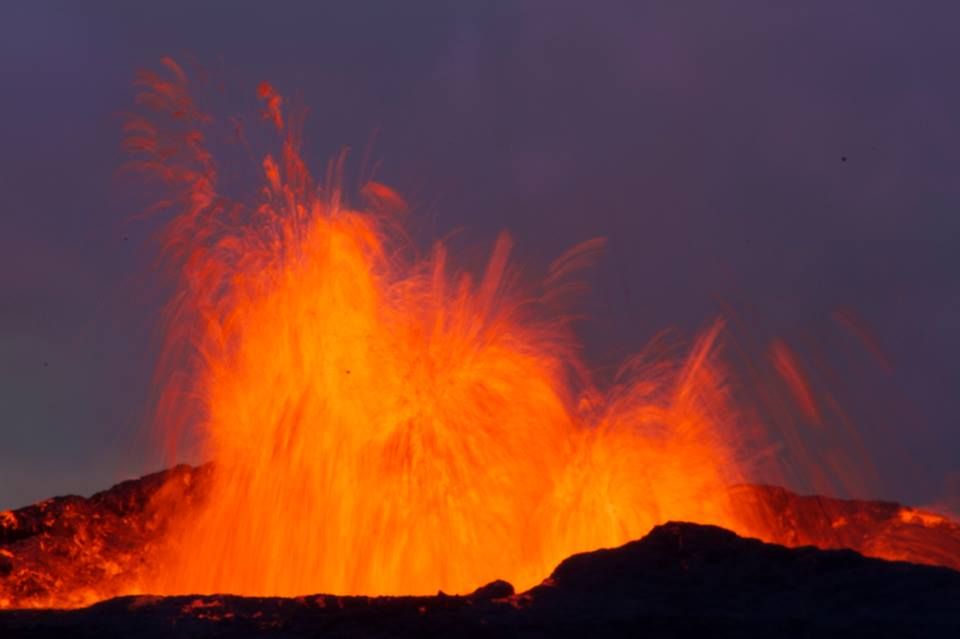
(709, 577)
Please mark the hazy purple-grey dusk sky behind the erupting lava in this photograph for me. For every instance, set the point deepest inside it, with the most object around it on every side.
(784, 159)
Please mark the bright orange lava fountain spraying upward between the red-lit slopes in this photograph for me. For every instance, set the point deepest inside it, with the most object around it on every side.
(380, 422)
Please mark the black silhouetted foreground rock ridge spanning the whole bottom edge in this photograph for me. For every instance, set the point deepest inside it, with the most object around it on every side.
(681, 580)
